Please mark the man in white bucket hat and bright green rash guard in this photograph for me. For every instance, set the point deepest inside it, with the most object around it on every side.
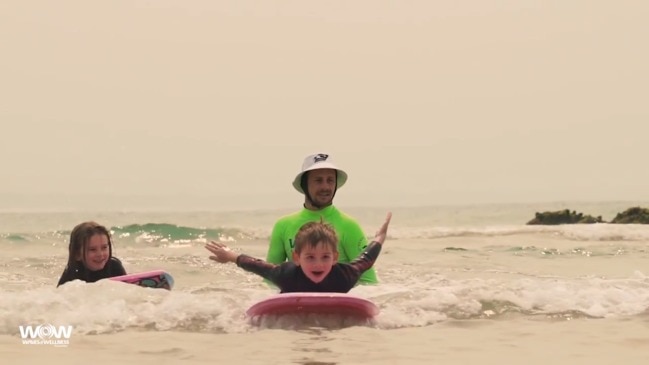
(318, 181)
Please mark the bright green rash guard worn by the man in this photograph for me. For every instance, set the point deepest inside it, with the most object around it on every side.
(351, 239)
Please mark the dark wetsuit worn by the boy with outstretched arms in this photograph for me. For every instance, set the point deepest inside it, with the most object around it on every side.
(290, 278)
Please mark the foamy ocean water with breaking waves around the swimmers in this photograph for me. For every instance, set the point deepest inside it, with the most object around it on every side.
(459, 284)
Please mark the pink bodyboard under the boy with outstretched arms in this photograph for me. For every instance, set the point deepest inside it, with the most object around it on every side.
(316, 303)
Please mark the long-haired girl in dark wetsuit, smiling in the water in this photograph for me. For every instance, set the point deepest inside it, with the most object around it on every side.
(90, 255)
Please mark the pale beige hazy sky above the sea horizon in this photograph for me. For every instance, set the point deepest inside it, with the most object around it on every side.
(215, 103)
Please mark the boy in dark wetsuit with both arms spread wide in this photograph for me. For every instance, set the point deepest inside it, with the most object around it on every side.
(314, 267)
